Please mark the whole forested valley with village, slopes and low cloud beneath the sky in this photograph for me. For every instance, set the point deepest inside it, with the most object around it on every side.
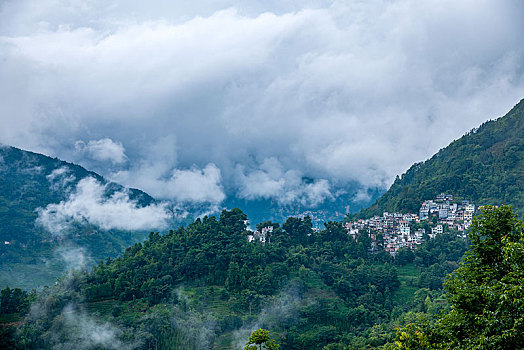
(390, 281)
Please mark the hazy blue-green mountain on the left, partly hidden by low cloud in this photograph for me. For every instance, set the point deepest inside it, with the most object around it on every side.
(30, 184)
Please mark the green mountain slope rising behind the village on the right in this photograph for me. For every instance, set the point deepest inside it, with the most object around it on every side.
(486, 165)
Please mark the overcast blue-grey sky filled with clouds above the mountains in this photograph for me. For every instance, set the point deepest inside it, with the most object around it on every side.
(285, 100)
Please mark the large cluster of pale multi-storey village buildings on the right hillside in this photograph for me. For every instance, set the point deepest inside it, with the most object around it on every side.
(400, 231)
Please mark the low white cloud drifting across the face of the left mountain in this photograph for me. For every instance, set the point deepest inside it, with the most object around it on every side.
(89, 204)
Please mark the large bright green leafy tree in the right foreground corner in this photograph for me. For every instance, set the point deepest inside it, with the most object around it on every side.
(485, 292)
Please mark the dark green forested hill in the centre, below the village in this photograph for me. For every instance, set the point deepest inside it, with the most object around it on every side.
(206, 287)
